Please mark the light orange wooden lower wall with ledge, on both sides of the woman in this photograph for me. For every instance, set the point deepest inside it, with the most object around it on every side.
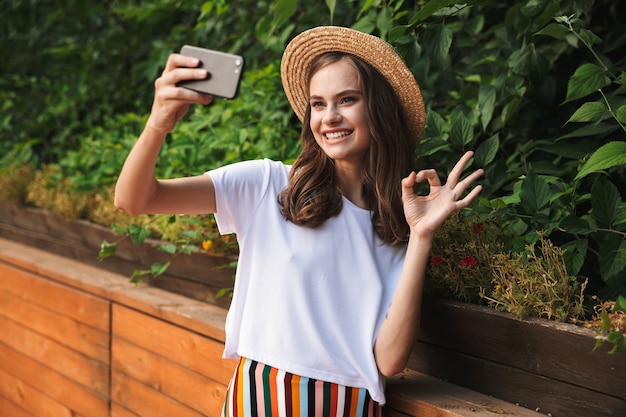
(78, 341)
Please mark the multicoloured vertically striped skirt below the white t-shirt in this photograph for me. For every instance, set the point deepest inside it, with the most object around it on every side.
(260, 390)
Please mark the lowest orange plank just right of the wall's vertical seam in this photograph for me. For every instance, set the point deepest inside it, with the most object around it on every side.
(145, 401)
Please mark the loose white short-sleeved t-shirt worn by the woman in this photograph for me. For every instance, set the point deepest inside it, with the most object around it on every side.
(306, 301)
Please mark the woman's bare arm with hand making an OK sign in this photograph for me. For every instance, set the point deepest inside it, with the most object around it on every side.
(425, 215)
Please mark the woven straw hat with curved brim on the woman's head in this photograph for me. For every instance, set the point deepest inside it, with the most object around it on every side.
(308, 45)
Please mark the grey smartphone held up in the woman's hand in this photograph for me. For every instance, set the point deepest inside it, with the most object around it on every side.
(224, 72)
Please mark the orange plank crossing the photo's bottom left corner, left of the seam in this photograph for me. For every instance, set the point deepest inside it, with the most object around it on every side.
(29, 398)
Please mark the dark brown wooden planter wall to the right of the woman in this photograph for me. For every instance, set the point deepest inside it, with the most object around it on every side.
(538, 363)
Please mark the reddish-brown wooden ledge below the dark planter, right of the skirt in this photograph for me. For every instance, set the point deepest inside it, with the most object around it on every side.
(420, 395)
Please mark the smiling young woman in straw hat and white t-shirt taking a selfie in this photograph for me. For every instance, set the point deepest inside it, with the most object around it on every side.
(333, 250)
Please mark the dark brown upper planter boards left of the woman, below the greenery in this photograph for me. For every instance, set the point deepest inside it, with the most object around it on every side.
(197, 276)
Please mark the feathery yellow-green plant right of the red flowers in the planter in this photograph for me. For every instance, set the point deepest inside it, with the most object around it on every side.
(535, 283)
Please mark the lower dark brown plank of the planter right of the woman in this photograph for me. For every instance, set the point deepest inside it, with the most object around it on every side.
(515, 385)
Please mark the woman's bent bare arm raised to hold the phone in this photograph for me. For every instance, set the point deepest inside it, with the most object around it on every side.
(137, 190)
